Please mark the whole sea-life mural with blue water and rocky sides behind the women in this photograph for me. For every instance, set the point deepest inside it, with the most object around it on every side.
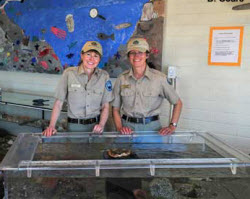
(64, 26)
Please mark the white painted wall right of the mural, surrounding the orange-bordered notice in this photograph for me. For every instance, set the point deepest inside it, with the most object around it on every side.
(216, 98)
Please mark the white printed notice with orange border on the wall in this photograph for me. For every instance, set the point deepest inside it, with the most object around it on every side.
(225, 44)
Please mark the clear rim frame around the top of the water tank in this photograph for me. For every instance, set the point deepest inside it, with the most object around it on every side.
(19, 161)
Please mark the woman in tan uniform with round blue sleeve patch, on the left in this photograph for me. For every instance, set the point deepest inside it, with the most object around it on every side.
(88, 91)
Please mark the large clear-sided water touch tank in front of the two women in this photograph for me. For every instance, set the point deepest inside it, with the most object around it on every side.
(79, 165)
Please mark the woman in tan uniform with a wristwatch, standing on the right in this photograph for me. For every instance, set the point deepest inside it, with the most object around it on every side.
(139, 93)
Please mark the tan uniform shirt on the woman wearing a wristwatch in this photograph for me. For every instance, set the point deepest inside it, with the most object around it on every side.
(143, 97)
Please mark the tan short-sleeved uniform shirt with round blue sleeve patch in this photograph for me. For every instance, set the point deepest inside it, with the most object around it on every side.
(85, 98)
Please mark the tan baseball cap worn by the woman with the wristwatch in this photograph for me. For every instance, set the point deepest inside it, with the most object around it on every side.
(139, 44)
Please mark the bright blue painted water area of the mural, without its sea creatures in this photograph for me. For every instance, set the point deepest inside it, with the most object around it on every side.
(40, 14)
